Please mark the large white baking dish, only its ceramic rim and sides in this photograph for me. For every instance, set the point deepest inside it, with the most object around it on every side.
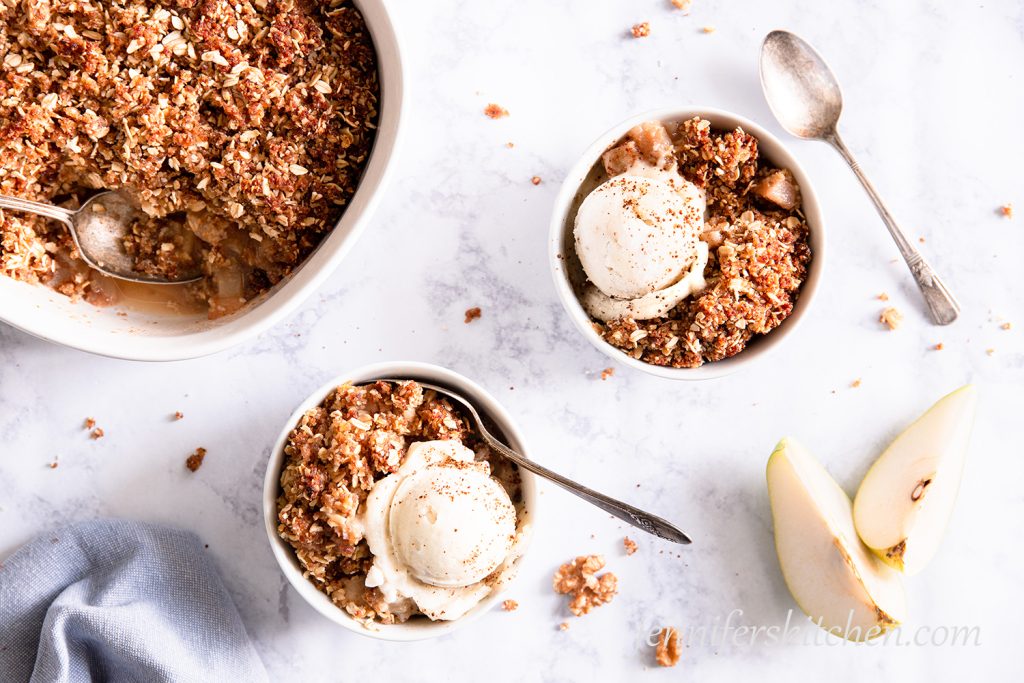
(144, 335)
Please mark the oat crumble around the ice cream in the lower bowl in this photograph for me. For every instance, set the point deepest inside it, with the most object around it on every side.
(335, 455)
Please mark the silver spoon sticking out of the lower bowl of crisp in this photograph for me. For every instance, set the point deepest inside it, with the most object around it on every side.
(643, 521)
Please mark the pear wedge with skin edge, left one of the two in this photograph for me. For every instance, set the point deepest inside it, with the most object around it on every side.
(832, 575)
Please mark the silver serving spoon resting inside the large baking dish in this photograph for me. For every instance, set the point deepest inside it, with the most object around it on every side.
(99, 230)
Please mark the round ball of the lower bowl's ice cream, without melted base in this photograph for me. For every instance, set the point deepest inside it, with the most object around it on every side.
(452, 525)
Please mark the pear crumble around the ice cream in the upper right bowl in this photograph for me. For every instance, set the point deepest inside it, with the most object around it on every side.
(758, 239)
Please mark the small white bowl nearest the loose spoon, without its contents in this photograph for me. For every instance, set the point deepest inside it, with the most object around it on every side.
(562, 244)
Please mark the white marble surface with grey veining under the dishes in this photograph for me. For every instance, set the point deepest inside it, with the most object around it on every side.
(934, 105)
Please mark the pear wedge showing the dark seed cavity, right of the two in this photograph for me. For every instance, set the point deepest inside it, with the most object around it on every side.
(906, 500)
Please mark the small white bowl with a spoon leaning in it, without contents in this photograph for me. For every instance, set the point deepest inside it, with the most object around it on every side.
(488, 407)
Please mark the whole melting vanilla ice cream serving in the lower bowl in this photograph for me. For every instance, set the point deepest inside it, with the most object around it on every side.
(438, 529)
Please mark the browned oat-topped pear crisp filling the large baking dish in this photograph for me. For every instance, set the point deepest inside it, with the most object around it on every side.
(240, 127)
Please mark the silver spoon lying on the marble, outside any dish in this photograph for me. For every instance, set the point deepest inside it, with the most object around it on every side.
(804, 96)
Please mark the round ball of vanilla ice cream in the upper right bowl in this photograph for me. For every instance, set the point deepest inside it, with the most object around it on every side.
(638, 234)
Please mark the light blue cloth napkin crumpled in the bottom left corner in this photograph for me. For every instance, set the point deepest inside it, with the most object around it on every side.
(117, 601)
